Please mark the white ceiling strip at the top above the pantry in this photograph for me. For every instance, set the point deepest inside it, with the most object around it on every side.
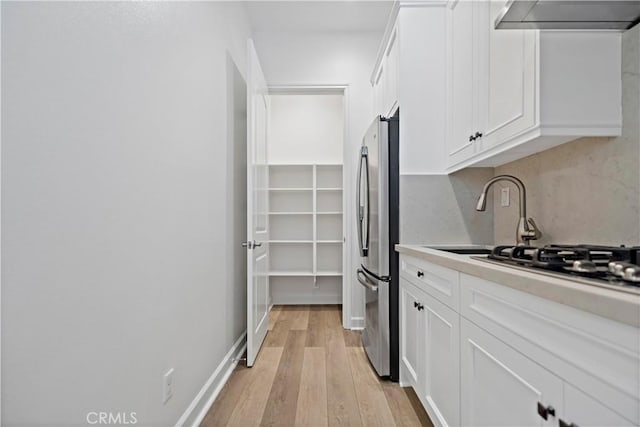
(319, 16)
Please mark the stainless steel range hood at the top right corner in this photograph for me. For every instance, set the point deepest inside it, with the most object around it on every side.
(569, 14)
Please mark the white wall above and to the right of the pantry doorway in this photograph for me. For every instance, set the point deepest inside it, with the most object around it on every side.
(331, 59)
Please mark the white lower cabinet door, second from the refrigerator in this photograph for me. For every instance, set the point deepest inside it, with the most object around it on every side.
(442, 363)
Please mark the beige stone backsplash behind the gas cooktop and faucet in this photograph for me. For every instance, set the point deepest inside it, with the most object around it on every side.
(588, 190)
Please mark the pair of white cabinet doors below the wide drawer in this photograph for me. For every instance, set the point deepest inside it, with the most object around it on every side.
(502, 387)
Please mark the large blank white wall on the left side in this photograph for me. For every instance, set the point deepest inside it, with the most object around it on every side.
(114, 235)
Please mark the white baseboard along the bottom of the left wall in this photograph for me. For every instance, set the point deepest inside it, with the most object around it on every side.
(196, 412)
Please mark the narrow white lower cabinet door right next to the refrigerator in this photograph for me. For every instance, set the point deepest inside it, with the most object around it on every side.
(410, 343)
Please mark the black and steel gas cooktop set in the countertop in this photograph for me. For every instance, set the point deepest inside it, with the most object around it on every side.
(592, 264)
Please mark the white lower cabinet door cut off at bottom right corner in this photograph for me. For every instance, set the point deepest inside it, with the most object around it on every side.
(585, 411)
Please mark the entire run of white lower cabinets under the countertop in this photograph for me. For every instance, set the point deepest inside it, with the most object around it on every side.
(509, 358)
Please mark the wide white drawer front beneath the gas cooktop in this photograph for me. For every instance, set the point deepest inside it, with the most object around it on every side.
(596, 355)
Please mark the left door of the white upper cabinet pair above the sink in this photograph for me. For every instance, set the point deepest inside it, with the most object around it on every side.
(460, 81)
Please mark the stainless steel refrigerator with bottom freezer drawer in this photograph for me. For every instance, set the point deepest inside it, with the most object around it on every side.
(377, 216)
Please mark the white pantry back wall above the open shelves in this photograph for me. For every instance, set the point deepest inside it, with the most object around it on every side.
(306, 128)
